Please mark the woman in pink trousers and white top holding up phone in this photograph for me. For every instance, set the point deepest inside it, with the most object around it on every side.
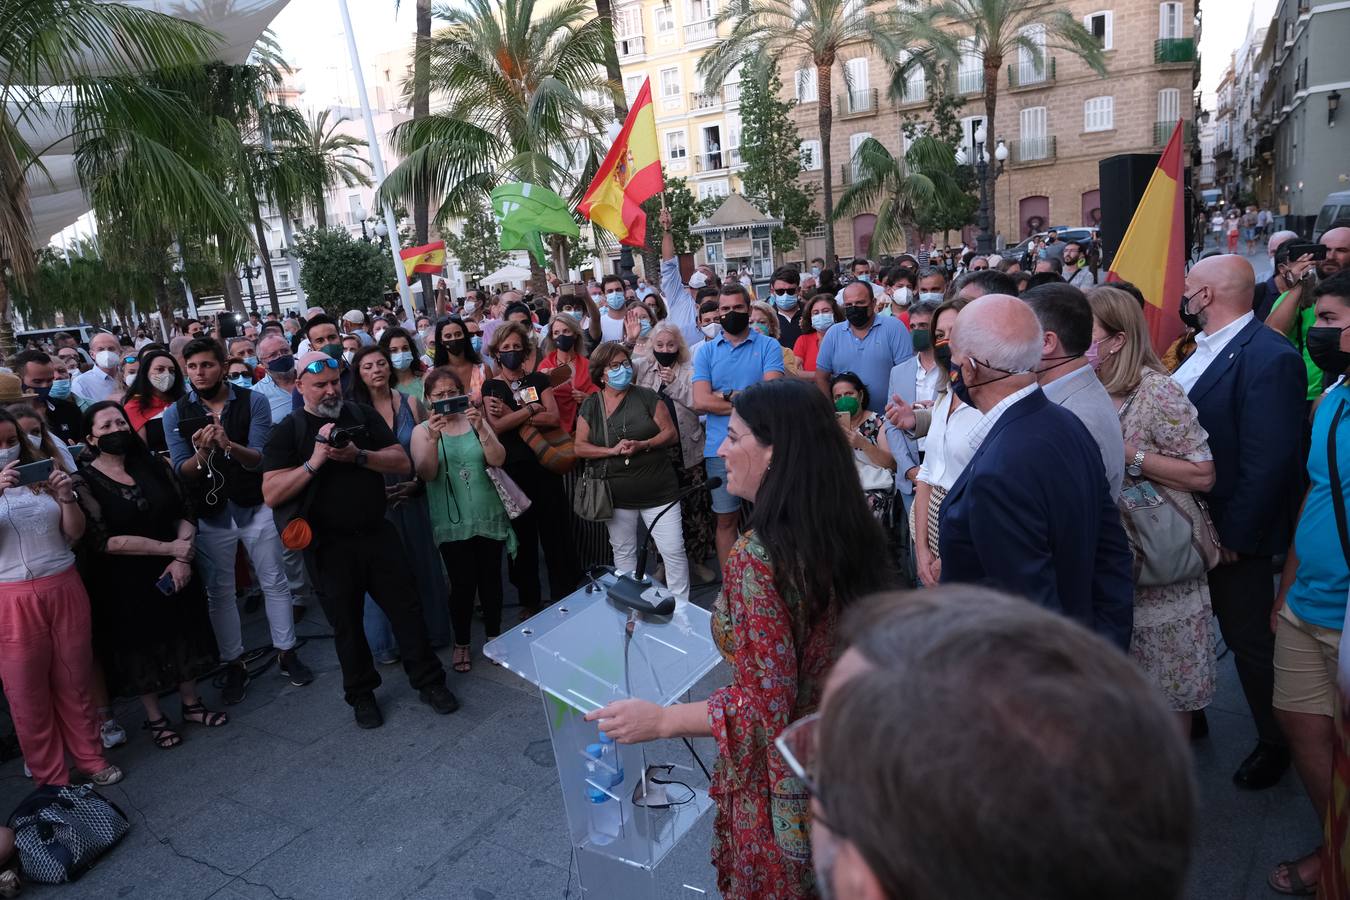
(45, 632)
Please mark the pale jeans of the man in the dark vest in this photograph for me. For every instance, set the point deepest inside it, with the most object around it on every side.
(217, 554)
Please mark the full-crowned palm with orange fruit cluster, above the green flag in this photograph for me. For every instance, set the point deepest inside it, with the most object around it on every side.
(515, 80)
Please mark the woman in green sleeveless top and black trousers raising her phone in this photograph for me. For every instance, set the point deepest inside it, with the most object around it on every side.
(452, 454)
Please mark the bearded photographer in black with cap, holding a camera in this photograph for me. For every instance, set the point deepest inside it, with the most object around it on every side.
(331, 458)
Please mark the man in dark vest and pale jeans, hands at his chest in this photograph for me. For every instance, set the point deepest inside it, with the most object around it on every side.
(215, 435)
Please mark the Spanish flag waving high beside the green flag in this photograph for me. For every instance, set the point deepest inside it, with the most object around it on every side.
(631, 173)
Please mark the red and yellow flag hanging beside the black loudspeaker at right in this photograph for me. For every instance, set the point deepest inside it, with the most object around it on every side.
(1152, 257)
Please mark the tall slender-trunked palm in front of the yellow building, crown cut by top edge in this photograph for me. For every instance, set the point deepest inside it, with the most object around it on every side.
(823, 29)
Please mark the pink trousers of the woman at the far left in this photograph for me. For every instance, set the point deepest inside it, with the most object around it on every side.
(47, 662)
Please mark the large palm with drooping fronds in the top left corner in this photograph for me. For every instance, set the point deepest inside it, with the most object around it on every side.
(71, 75)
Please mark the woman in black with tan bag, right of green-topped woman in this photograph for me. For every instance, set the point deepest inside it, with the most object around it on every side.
(520, 405)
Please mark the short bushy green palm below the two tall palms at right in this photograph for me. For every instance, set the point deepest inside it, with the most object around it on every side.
(897, 187)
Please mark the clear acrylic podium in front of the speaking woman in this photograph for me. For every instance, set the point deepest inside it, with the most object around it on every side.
(583, 654)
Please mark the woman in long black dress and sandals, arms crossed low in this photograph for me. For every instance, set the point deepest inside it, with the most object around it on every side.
(151, 623)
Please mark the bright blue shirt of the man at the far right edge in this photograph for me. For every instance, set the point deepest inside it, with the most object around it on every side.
(1320, 589)
